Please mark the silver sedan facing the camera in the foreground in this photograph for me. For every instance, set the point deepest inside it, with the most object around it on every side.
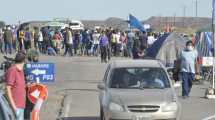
(137, 90)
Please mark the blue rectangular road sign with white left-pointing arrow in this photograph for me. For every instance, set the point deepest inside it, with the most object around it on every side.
(42, 72)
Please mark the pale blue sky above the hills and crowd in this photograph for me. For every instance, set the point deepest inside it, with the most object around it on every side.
(12, 11)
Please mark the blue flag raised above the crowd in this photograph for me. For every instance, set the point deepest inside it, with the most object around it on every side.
(134, 22)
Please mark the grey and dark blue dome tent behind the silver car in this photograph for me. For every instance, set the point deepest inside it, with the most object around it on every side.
(167, 48)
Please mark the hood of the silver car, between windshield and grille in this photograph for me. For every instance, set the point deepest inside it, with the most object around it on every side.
(146, 96)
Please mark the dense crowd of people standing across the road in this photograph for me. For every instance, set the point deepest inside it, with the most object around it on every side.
(104, 42)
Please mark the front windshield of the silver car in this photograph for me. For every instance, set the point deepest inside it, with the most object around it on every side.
(139, 78)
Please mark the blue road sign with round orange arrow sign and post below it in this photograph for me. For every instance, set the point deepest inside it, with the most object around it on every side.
(37, 73)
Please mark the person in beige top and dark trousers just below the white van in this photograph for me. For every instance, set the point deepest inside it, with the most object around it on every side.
(68, 42)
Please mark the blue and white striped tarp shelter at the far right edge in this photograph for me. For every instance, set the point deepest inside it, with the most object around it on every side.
(204, 43)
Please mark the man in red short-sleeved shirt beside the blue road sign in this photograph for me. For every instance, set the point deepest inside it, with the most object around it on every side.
(15, 86)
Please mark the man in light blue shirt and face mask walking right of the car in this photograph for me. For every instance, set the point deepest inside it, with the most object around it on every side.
(189, 67)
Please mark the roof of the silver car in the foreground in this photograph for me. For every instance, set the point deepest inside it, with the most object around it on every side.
(136, 63)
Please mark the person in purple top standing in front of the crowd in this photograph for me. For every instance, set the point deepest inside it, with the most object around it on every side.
(104, 47)
